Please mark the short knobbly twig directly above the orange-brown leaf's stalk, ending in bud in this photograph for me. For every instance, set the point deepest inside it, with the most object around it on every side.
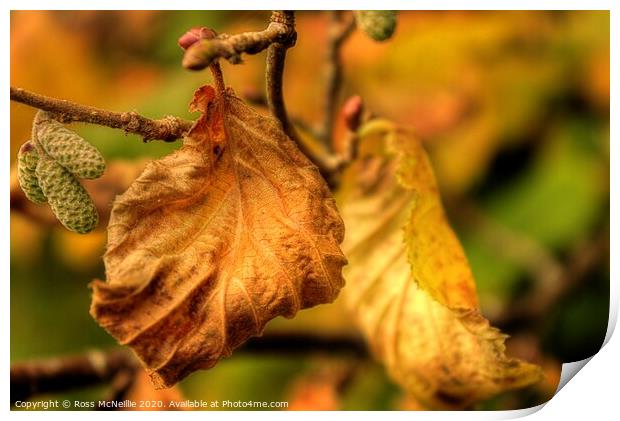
(230, 47)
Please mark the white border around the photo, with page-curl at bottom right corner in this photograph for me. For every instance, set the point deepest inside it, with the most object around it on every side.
(593, 392)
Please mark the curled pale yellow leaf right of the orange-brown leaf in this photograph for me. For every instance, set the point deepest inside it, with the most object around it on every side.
(409, 283)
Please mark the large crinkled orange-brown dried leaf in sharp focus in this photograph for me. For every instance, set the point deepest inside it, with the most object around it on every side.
(211, 242)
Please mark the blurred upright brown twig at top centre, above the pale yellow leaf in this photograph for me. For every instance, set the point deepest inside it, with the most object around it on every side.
(339, 31)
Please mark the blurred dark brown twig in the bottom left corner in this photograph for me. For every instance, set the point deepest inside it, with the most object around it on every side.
(64, 373)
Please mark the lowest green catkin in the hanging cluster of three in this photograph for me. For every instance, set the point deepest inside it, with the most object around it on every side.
(68, 199)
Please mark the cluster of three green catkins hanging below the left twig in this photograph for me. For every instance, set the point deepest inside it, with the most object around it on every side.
(49, 166)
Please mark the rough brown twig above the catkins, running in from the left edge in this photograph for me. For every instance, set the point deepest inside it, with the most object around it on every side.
(167, 129)
